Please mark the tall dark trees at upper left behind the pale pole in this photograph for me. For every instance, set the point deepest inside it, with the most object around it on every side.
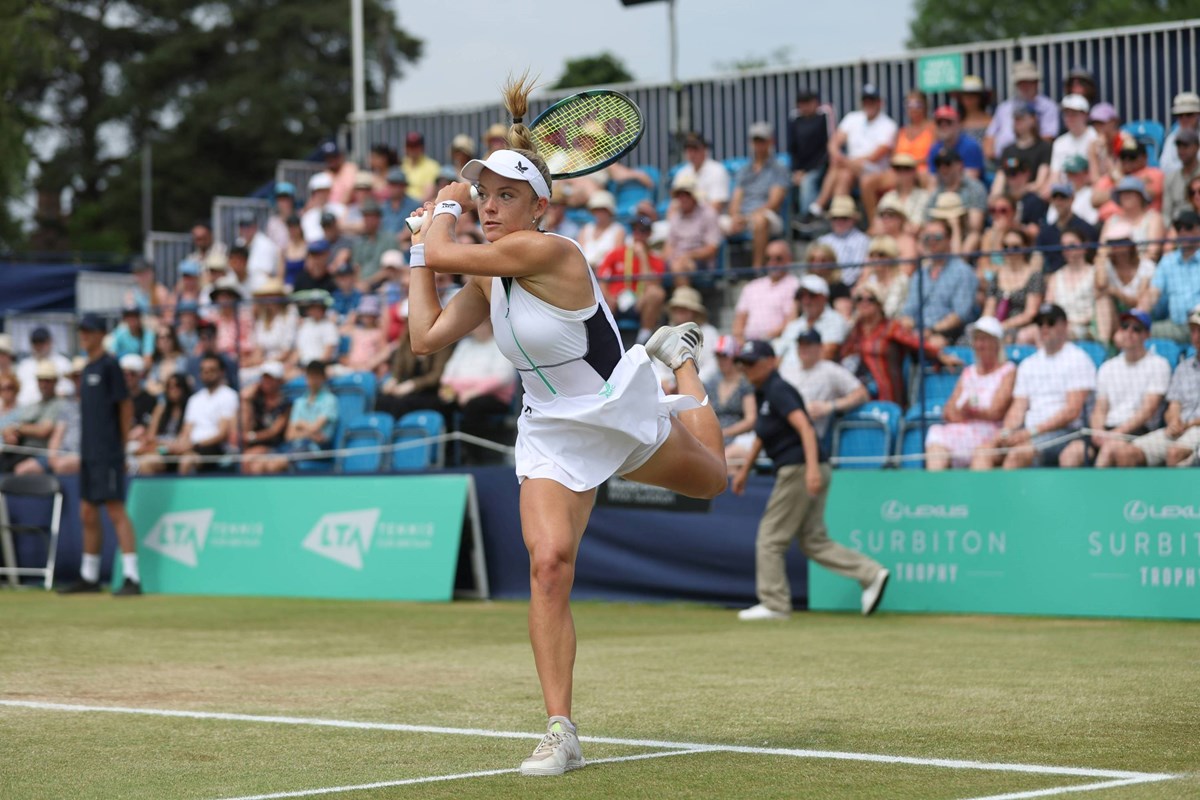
(220, 91)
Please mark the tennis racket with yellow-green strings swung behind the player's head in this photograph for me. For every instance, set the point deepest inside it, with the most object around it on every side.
(583, 135)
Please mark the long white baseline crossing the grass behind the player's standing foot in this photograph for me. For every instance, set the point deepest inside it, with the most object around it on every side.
(1036, 769)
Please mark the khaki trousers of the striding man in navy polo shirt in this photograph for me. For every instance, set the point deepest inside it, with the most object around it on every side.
(793, 513)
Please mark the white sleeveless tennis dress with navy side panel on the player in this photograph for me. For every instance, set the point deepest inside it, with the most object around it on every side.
(591, 411)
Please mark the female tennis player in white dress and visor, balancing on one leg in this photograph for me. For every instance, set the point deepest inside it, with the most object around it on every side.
(591, 411)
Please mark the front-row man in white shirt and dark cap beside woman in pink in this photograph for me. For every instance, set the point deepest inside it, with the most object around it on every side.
(1053, 387)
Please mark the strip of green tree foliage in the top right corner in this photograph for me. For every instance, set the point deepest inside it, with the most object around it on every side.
(939, 23)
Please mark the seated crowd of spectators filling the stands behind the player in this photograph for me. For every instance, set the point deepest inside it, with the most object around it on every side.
(1036, 252)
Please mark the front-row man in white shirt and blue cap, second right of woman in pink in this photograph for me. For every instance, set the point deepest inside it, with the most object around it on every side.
(1130, 392)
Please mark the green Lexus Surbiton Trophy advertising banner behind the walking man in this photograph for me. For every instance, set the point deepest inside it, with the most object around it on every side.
(1072, 543)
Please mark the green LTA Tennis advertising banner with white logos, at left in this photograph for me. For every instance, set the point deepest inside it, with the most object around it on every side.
(374, 538)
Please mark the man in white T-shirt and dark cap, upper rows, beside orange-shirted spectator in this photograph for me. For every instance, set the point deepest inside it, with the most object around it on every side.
(861, 147)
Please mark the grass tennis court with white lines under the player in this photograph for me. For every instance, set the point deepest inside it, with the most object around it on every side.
(685, 701)
